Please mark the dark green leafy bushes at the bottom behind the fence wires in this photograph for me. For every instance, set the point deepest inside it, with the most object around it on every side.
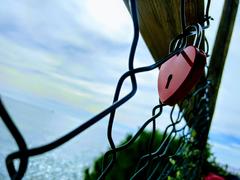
(177, 163)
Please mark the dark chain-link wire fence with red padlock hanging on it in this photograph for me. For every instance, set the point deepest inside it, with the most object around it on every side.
(183, 140)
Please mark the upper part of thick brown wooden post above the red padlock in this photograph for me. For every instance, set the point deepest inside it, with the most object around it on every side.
(160, 22)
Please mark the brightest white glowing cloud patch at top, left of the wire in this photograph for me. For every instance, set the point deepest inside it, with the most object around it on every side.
(109, 18)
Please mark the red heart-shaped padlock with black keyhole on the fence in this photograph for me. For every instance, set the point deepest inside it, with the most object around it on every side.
(179, 74)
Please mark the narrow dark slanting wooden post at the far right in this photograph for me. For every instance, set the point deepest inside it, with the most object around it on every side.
(219, 55)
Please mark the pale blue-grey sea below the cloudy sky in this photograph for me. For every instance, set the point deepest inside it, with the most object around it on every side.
(40, 125)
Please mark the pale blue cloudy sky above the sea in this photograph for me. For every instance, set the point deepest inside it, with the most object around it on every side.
(68, 56)
